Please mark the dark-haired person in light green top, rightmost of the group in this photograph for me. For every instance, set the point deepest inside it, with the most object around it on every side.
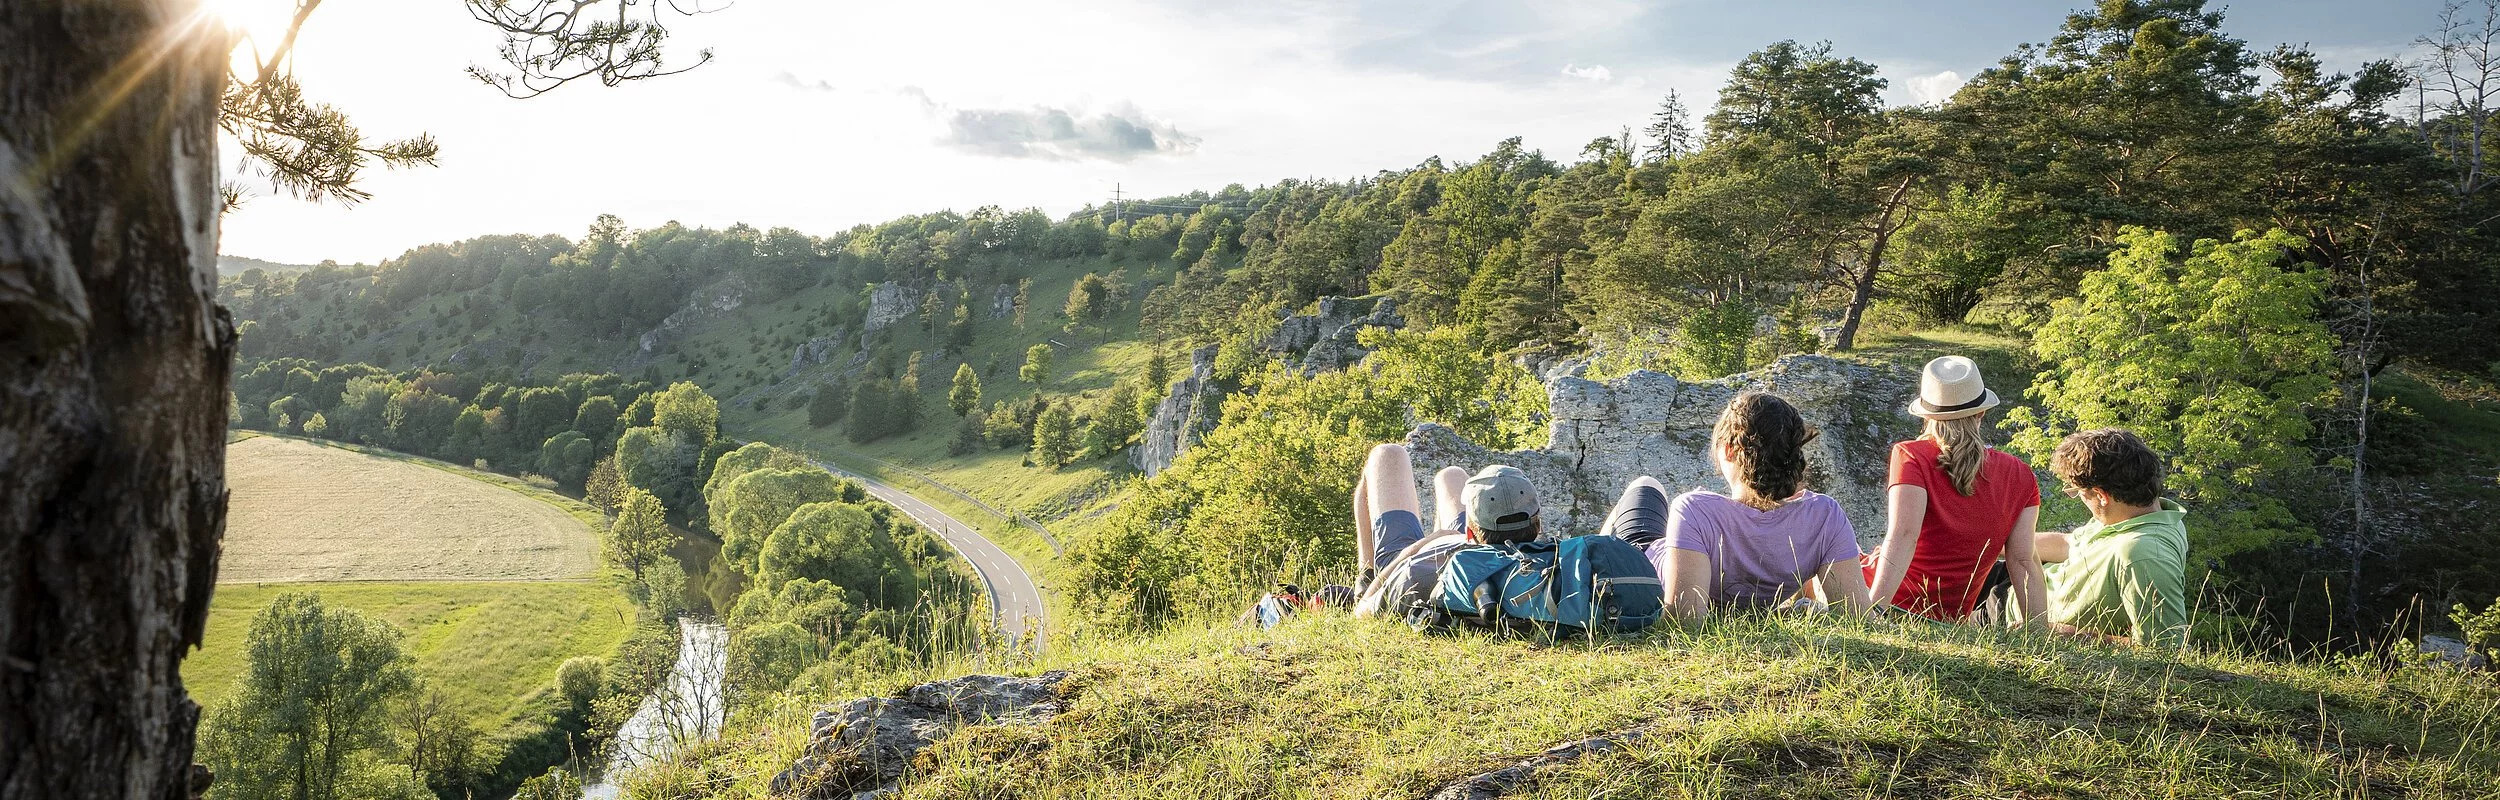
(2121, 576)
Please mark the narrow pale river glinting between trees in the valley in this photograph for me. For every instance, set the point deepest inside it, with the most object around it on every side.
(689, 706)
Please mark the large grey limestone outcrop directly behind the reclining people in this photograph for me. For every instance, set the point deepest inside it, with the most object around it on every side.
(1651, 424)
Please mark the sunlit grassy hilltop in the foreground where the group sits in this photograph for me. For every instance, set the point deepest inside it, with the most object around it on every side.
(1736, 709)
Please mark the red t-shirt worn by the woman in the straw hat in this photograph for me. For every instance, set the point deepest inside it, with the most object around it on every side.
(1961, 539)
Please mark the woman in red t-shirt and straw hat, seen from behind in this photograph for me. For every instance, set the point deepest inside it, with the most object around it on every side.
(1956, 506)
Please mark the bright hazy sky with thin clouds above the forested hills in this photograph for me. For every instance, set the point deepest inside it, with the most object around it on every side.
(821, 116)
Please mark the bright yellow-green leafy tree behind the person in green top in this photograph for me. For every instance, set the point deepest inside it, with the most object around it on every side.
(2211, 356)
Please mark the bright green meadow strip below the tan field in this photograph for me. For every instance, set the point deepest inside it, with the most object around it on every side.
(494, 646)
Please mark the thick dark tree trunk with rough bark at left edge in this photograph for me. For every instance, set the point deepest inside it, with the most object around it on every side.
(114, 369)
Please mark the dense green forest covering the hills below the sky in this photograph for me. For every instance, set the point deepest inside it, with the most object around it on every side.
(2224, 246)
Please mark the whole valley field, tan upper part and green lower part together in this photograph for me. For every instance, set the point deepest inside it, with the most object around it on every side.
(489, 579)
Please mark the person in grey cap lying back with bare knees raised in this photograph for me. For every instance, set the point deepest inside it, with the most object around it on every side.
(1404, 564)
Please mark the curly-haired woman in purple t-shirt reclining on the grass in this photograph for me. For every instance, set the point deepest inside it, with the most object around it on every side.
(1766, 541)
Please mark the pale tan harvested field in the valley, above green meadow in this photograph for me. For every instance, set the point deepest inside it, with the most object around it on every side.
(321, 514)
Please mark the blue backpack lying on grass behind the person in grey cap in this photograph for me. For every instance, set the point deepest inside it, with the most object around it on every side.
(1584, 584)
